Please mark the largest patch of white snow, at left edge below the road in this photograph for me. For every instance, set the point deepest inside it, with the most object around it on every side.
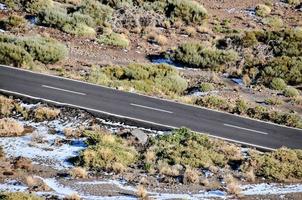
(48, 152)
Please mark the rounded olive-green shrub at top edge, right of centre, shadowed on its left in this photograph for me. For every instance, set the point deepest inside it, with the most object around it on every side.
(187, 10)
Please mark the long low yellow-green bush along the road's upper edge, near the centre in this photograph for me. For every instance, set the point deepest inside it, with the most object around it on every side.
(156, 79)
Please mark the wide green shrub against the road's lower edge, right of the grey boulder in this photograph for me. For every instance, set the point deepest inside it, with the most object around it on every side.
(191, 149)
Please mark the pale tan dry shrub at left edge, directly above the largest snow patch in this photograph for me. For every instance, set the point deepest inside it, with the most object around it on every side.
(10, 128)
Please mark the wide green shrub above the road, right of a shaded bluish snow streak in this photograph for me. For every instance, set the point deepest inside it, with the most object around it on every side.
(195, 55)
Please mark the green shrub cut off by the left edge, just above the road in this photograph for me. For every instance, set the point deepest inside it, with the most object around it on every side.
(11, 54)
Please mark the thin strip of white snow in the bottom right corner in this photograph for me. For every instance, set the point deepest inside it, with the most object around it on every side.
(265, 189)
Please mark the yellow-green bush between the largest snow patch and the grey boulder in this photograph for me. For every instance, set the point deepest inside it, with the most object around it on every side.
(107, 152)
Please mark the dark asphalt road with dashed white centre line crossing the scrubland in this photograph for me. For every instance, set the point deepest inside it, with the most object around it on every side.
(148, 110)
